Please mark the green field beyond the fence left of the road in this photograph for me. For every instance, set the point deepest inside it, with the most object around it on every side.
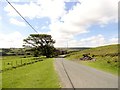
(14, 61)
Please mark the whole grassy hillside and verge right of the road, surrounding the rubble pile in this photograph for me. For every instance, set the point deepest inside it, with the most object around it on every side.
(106, 58)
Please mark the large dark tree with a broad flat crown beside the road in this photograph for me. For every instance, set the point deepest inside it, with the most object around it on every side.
(40, 44)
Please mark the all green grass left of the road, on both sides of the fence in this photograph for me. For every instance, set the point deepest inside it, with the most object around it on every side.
(37, 75)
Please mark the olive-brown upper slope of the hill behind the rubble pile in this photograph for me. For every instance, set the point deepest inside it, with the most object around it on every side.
(109, 50)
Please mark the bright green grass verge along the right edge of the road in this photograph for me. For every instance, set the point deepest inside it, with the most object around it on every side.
(106, 64)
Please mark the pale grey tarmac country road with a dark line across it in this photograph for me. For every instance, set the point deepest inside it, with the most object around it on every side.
(74, 75)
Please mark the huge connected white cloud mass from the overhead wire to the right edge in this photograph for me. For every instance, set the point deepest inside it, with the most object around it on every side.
(74, 22)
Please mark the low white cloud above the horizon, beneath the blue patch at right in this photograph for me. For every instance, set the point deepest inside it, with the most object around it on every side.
(88, 42)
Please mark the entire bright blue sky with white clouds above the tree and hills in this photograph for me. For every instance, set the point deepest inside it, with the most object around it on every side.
(72, 23)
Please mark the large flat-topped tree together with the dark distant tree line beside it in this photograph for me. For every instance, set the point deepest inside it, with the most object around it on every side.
(35, 45)
